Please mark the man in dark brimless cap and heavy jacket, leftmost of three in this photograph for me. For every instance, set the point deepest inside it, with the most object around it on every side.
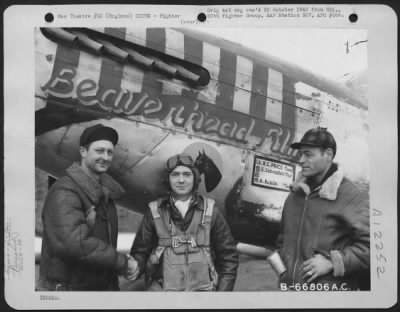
(80, 222)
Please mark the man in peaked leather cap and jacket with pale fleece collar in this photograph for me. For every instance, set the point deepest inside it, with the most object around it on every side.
(324, 240)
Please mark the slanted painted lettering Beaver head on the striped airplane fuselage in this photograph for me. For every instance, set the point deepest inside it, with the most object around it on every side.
(183, 112)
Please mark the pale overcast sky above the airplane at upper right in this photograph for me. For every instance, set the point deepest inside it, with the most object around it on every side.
(322, 51)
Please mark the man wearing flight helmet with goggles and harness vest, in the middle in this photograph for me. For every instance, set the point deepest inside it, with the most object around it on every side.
(184, 242)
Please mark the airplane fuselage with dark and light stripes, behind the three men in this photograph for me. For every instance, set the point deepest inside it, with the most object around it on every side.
(168, 91)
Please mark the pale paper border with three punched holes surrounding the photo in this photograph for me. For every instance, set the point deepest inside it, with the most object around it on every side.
(19, 179)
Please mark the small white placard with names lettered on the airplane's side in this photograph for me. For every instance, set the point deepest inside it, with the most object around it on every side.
(272, 174)
